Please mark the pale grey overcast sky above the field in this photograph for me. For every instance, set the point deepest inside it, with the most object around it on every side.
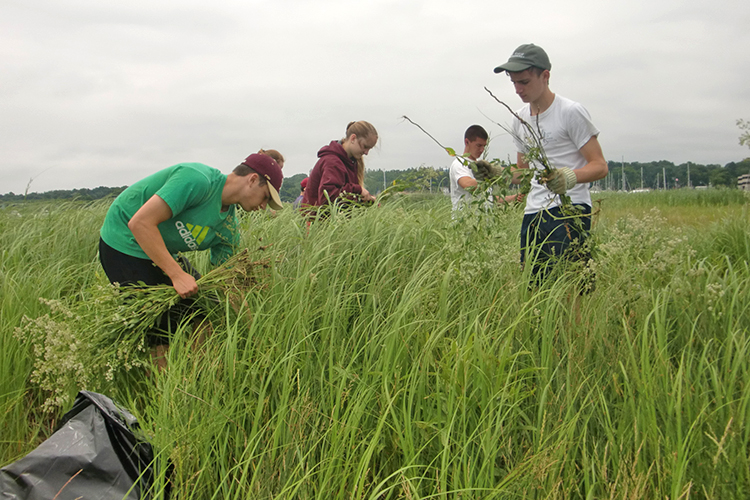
(98, 93)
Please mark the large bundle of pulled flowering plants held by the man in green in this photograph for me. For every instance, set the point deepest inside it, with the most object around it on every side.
(87, 339)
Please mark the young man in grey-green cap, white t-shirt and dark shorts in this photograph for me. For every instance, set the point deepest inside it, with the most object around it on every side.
(570, 142)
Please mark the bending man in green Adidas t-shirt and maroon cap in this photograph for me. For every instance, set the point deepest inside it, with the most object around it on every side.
(188, 206)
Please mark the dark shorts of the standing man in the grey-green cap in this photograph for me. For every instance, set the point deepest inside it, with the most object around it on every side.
(547, 235)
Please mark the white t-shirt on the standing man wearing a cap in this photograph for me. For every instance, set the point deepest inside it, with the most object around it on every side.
(565, 128)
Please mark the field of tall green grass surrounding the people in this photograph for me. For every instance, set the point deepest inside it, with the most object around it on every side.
(399, 354)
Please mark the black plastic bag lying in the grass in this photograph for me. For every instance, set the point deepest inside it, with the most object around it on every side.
(94, 453)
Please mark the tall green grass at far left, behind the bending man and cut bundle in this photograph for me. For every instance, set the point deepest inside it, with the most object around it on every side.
(48, 251)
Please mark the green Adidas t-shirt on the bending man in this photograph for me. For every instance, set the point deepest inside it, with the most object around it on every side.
(193, 193)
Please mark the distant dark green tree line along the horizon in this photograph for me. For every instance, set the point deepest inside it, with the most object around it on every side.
(425, 179)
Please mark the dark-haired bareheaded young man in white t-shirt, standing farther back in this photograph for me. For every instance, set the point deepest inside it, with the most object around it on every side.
(461, 176)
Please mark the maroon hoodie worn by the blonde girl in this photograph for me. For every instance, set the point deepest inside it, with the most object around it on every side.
(334, 173)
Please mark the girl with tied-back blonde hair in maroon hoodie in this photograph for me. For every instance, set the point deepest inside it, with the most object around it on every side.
(340, 171)
